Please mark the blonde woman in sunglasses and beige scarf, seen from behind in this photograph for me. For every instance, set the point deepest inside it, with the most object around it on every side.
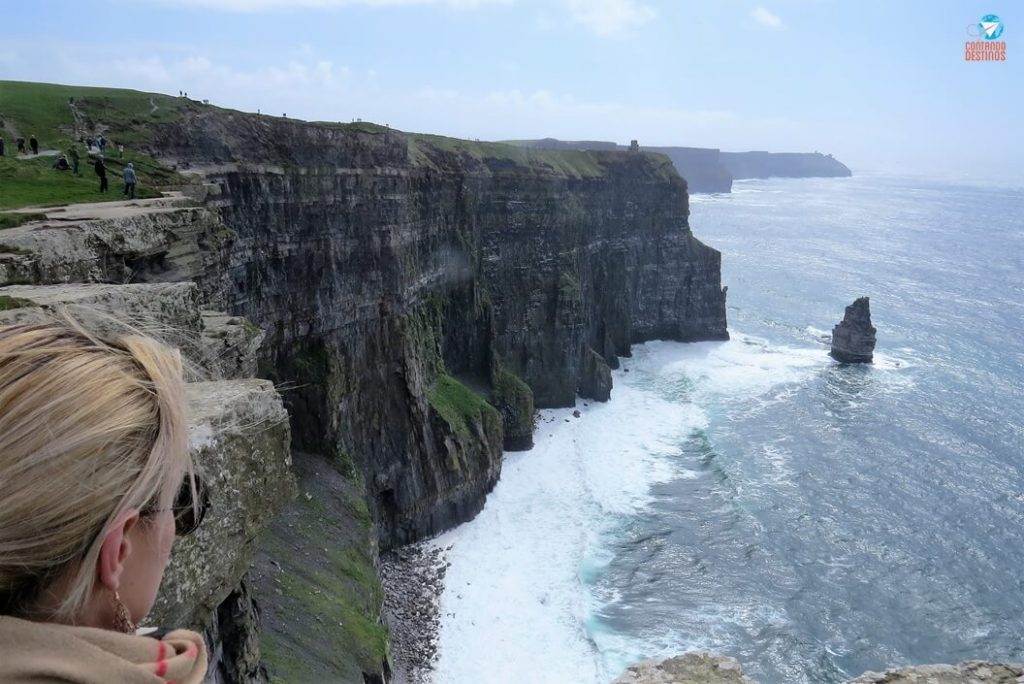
(91, 506)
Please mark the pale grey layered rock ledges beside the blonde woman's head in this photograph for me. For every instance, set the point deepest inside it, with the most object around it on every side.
(239, 430)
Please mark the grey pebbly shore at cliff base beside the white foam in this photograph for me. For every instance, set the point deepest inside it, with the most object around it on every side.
(413, 579)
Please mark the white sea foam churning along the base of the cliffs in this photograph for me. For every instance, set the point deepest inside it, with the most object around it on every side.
(517, 607)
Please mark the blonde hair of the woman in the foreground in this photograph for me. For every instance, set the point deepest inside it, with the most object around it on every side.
(90, 429)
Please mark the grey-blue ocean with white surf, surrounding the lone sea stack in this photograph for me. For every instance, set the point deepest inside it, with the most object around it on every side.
(758, 500)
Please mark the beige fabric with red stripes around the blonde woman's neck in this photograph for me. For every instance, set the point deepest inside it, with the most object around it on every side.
(48, 654)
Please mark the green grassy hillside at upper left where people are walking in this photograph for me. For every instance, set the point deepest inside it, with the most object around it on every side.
(44, 110)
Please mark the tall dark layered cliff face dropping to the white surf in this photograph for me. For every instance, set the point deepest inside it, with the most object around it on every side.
(397, 275)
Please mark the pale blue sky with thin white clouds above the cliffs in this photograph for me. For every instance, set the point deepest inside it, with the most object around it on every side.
(883, 85)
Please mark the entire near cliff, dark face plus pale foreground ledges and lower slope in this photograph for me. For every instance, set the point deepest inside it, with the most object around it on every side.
(415, 296)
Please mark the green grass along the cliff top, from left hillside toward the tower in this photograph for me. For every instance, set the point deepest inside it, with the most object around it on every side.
(60, 116)
